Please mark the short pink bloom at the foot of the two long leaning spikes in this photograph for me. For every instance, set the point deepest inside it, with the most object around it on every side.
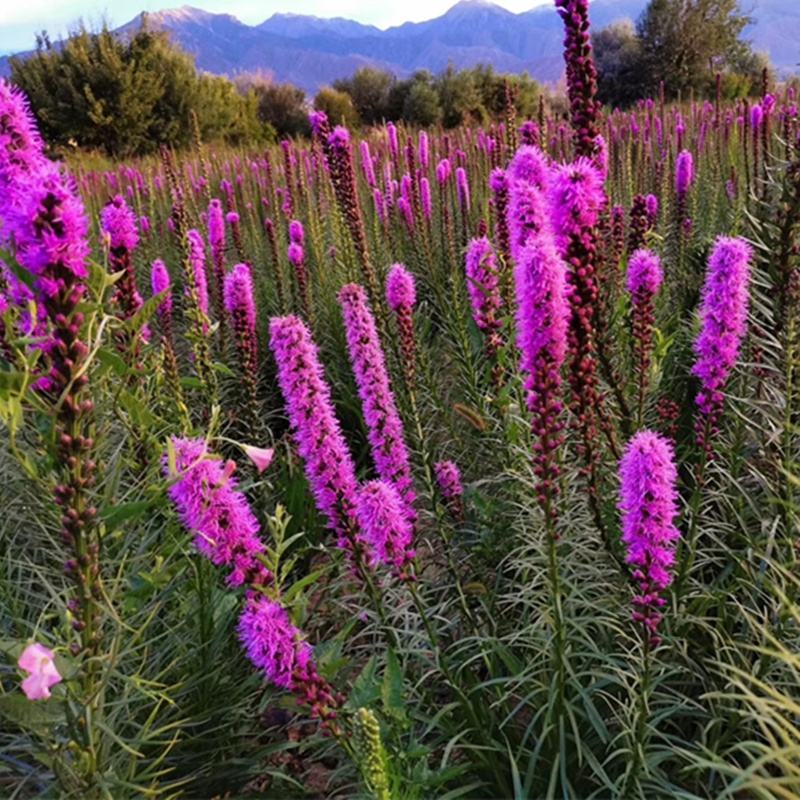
(385, 526)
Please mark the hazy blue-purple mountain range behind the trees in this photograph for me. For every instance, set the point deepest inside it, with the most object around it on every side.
(312, 51)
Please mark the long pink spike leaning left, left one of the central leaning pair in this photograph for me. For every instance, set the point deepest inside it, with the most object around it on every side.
(328, 465)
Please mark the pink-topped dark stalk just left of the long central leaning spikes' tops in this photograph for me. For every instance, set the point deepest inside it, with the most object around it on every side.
(240, 304)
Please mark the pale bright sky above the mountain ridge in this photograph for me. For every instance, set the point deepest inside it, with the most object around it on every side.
(21, 19)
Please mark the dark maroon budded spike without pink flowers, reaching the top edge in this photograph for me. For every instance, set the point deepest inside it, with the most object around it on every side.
(581, 75)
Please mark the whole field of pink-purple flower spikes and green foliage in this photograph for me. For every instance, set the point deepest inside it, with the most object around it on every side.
(419, 465)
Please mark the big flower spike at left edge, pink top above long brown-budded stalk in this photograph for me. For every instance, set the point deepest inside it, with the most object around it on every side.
(50, 233)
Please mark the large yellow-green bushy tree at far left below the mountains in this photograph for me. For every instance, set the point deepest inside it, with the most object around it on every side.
(128, 95)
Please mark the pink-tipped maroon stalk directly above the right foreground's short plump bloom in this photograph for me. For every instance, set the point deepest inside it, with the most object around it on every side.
(645, 276)
